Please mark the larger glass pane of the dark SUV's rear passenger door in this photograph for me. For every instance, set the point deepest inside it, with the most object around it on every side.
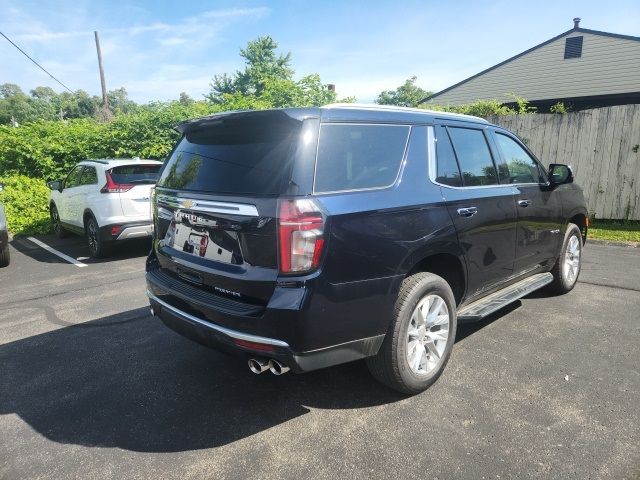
(474, 156)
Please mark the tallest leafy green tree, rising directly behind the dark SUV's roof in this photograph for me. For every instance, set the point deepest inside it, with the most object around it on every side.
(267, 82)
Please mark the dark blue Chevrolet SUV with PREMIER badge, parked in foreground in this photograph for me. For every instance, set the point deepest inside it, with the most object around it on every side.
(305, 238)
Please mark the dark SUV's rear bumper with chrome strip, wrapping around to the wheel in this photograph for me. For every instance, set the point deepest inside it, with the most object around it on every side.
(307, 327)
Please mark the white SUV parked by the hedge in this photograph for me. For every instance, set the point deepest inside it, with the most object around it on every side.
(105, 200)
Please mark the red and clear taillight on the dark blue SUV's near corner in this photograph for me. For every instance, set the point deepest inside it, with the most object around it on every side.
(300, 235)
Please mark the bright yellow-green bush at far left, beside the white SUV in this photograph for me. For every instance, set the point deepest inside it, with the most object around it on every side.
(26, 203)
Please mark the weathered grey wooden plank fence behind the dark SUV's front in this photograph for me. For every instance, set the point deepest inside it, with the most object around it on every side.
(603, 147)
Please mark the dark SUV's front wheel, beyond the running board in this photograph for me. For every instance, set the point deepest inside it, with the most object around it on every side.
(568, 264)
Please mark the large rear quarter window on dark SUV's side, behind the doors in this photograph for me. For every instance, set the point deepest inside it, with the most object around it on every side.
(356, 157)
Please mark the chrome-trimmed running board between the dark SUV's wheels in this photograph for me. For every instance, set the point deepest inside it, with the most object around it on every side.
(491, 303)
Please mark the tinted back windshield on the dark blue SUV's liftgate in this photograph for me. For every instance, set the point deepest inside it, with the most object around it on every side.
(244, 154)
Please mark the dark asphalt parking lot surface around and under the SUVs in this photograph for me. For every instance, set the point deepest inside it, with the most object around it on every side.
(91, 386)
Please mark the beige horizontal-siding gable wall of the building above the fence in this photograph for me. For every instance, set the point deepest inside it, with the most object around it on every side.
(608, 66)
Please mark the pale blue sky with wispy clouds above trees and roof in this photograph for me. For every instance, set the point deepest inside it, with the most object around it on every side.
(157, 49)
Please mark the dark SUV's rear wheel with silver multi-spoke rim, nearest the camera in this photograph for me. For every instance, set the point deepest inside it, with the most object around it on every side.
(395, 363)
